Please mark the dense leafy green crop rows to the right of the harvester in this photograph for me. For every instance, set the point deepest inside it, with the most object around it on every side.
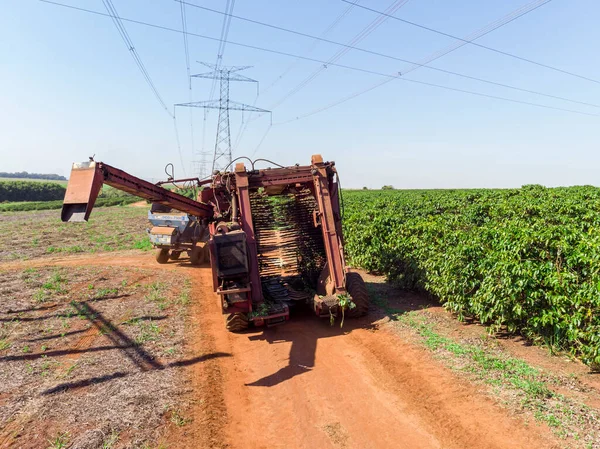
(525, 260)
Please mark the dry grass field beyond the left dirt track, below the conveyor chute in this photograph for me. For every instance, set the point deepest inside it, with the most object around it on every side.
(26, 235)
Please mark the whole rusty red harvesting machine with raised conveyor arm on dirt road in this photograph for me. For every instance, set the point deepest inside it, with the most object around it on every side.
(274, 235)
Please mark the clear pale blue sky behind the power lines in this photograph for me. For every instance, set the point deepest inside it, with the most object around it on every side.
(71, 89)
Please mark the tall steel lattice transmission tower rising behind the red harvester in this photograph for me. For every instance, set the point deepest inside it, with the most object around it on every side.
(222, 156)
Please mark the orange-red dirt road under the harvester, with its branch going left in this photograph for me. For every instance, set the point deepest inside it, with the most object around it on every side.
(308, 385)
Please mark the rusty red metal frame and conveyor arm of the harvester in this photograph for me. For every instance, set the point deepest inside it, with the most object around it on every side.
(320, 177)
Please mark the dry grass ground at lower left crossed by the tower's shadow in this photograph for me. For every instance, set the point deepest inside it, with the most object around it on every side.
(92, 354)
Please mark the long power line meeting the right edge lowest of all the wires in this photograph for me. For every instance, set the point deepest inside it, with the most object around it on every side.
(391, 77)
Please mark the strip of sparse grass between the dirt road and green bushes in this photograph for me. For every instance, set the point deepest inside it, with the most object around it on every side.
(511, 380)
